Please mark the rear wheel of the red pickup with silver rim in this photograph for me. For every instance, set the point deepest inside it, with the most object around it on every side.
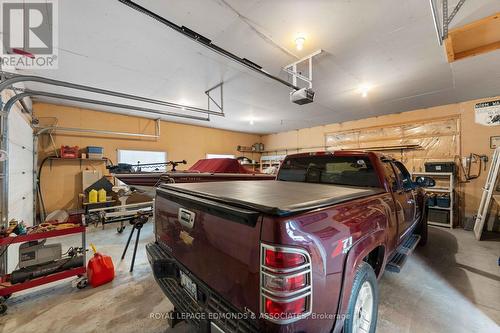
(363, 304)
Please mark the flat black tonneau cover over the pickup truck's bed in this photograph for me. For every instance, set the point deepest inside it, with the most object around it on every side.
(272, 197)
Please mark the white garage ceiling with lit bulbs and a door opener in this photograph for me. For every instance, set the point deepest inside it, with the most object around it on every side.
(392, 47)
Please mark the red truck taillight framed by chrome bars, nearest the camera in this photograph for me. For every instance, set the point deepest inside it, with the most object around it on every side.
(286, 283)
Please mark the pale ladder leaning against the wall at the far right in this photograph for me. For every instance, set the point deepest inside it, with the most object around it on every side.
(488, 190)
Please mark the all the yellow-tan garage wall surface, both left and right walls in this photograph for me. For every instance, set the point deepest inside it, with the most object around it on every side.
(193, 142)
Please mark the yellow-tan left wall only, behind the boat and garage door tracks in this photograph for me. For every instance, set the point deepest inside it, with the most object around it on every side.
(62, 181)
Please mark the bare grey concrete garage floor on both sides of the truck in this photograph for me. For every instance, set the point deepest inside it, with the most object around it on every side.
(451, 285)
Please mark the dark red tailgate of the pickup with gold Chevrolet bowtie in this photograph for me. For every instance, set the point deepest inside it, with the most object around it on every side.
(217, 243)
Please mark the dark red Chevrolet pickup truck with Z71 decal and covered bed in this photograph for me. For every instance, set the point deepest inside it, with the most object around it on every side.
(299, 254)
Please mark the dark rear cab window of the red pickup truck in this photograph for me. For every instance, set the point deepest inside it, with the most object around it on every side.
(339, 170)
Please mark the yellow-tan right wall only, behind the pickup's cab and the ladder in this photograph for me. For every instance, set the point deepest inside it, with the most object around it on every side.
(475, 138)
